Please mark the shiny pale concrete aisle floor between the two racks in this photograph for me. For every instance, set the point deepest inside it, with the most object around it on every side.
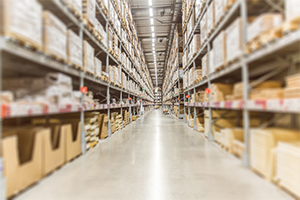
(156, 158)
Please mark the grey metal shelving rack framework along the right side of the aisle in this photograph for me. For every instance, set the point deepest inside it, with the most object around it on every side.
(244, 64)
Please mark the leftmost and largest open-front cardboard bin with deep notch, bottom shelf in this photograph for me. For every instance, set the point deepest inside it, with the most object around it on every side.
(22, 155)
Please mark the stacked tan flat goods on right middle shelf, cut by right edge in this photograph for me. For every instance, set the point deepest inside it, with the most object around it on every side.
(292, 89)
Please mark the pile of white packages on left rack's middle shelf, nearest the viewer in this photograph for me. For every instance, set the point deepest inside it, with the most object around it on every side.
(53, 89)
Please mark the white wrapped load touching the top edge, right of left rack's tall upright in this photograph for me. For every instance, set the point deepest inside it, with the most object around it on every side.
(89, 12)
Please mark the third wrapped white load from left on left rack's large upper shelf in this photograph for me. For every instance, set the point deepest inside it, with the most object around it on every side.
(74, 49)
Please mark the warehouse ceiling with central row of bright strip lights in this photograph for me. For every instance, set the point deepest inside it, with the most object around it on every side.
(166, 13)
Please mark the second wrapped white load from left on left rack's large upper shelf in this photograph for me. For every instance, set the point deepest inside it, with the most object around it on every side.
(55, 36)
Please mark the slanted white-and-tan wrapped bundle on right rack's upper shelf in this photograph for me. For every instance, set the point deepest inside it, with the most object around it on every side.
(263, 23)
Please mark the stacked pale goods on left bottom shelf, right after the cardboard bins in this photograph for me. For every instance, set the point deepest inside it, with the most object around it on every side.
(92, 129)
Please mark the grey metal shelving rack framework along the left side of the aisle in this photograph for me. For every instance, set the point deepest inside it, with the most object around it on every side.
(38, 63)
